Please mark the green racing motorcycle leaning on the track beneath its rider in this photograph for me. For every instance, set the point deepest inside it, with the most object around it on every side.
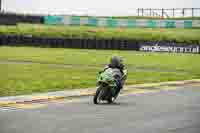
(107, 85)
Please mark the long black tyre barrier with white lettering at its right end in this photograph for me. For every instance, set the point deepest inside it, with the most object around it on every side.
(114, 44)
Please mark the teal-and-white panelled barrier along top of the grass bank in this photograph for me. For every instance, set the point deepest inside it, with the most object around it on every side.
(113, 22)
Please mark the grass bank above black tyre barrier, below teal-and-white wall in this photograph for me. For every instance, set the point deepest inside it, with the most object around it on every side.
(179, 35)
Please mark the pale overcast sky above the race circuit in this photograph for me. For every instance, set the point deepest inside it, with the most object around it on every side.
(92, 7)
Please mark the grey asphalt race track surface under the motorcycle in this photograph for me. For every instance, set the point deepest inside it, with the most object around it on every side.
(175, 111)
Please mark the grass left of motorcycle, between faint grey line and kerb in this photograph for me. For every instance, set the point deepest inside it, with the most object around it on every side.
(19, 79)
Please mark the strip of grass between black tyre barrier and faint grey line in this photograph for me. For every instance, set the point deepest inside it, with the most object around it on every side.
(165, 61)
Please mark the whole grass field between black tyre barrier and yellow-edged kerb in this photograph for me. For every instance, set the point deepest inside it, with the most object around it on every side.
(81, 67)
